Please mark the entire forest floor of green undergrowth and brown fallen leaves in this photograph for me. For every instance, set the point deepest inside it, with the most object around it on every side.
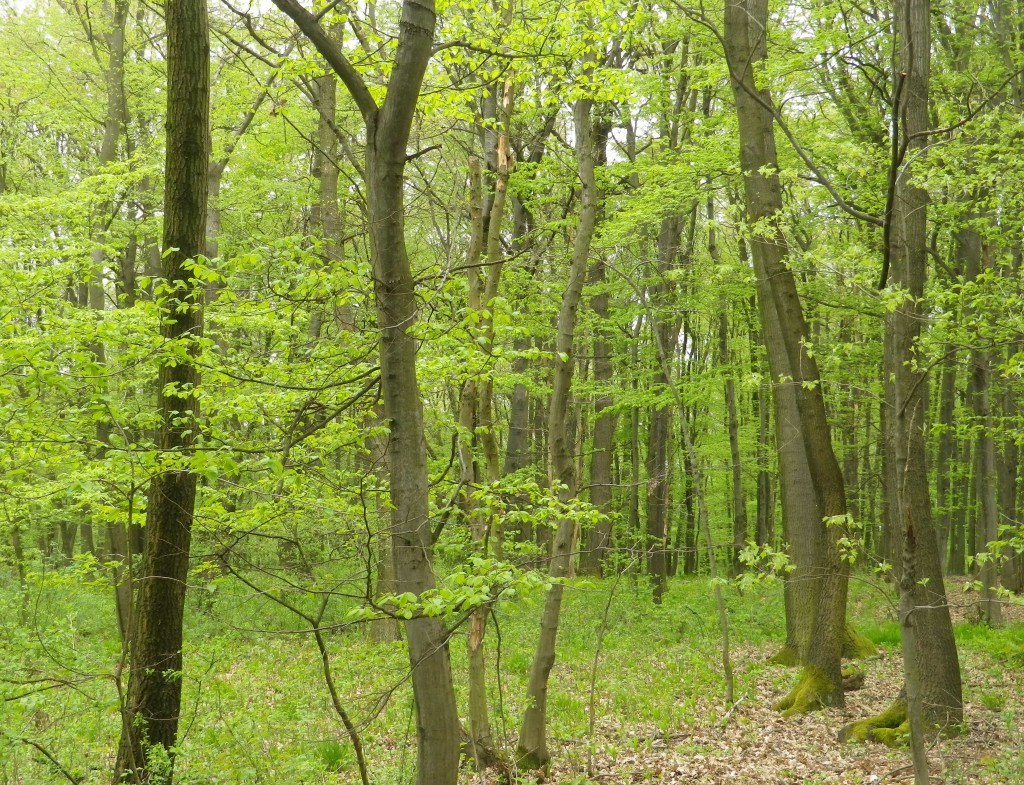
(636, 693)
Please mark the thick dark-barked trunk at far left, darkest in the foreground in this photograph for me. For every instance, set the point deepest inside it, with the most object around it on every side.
(154, 697)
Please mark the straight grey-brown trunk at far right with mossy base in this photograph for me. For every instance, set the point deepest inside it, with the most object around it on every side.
(907, 390)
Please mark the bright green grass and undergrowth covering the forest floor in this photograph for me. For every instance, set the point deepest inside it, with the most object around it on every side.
(258, 712)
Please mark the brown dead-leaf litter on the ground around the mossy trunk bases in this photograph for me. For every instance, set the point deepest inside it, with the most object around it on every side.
(753, 745)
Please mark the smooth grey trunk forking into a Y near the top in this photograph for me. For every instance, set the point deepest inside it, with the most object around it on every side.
(388, 128)
